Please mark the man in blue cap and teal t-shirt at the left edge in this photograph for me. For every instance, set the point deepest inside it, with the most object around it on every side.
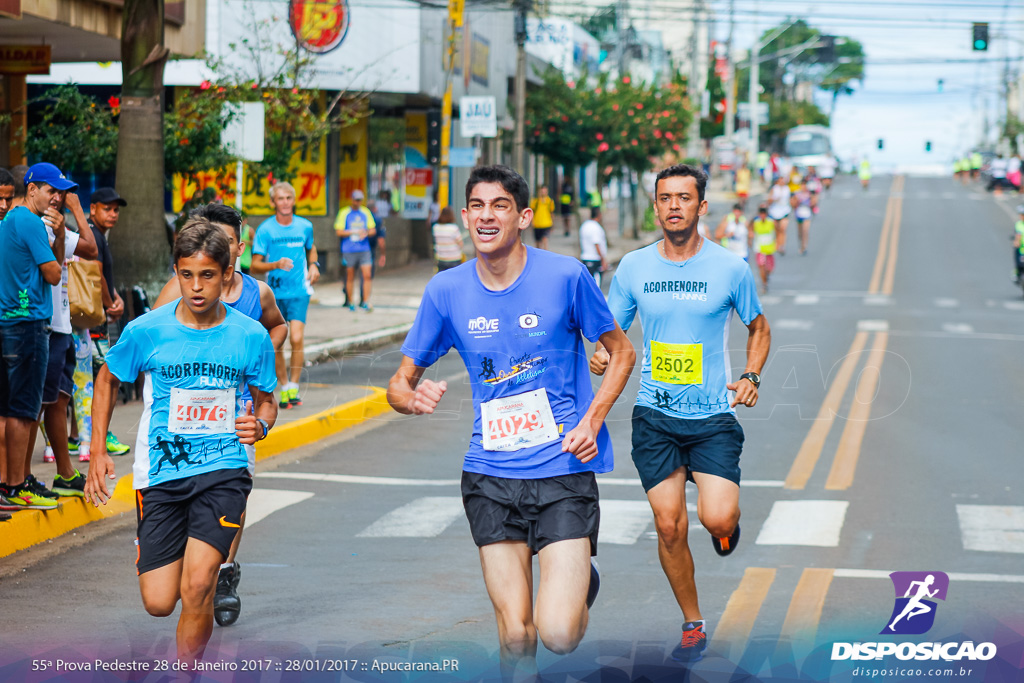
(32, 267)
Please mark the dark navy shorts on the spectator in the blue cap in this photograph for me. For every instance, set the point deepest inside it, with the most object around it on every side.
(25, 349)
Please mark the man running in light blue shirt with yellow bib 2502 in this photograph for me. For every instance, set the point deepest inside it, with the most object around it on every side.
(686, 289)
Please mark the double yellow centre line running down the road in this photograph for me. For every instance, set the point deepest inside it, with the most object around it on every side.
(808, 601)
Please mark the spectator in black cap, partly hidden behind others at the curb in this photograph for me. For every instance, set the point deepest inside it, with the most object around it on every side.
(105, 209)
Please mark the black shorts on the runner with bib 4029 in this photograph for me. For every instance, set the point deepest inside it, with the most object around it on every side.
(538, 513)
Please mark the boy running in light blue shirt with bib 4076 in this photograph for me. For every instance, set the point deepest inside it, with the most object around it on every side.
(192, 474)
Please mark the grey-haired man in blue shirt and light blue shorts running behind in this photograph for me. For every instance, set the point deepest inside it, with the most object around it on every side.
(284, 250)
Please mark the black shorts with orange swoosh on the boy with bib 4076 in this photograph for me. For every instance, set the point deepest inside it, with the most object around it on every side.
(207, 507)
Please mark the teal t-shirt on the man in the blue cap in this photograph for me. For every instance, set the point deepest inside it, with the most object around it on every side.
(24, 293)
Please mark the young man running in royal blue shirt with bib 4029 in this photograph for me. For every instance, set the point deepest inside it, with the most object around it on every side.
(518, 317)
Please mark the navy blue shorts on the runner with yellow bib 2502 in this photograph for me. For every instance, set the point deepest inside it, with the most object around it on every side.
(663, 444)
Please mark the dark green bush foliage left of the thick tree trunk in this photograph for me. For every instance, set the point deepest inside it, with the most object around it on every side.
(74, 132)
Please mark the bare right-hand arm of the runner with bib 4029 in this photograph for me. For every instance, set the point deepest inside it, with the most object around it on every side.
(582, 441)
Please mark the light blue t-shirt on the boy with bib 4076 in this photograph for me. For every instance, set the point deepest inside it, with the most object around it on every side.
(236, 354)
